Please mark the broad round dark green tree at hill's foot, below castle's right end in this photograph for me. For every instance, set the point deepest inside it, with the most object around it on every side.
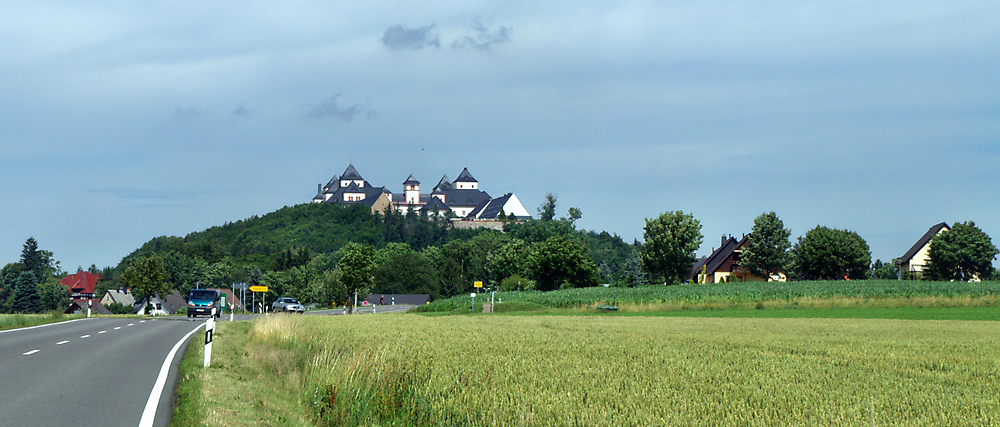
(561, 261)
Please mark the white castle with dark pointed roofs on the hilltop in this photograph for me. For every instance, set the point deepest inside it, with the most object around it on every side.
(460, 198)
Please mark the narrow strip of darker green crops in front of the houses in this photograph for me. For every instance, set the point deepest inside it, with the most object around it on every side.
(760, 295)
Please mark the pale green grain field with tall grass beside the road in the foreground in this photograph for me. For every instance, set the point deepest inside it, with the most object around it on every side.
(405, 369)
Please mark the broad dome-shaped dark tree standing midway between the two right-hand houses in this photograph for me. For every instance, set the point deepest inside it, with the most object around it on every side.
(831, 254)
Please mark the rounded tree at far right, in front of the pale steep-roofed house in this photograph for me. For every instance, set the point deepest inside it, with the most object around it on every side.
(963, 253)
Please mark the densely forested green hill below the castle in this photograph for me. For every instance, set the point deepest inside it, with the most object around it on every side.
(295, 247)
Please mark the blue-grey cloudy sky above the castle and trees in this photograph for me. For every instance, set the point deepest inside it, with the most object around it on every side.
(123, 121)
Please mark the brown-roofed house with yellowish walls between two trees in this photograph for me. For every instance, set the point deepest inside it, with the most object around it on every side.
(723, 265)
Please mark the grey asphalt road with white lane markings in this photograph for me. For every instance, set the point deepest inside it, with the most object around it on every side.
(91, 371)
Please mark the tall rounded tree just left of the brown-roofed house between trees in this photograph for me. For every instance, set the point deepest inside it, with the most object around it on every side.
(670, 244)
